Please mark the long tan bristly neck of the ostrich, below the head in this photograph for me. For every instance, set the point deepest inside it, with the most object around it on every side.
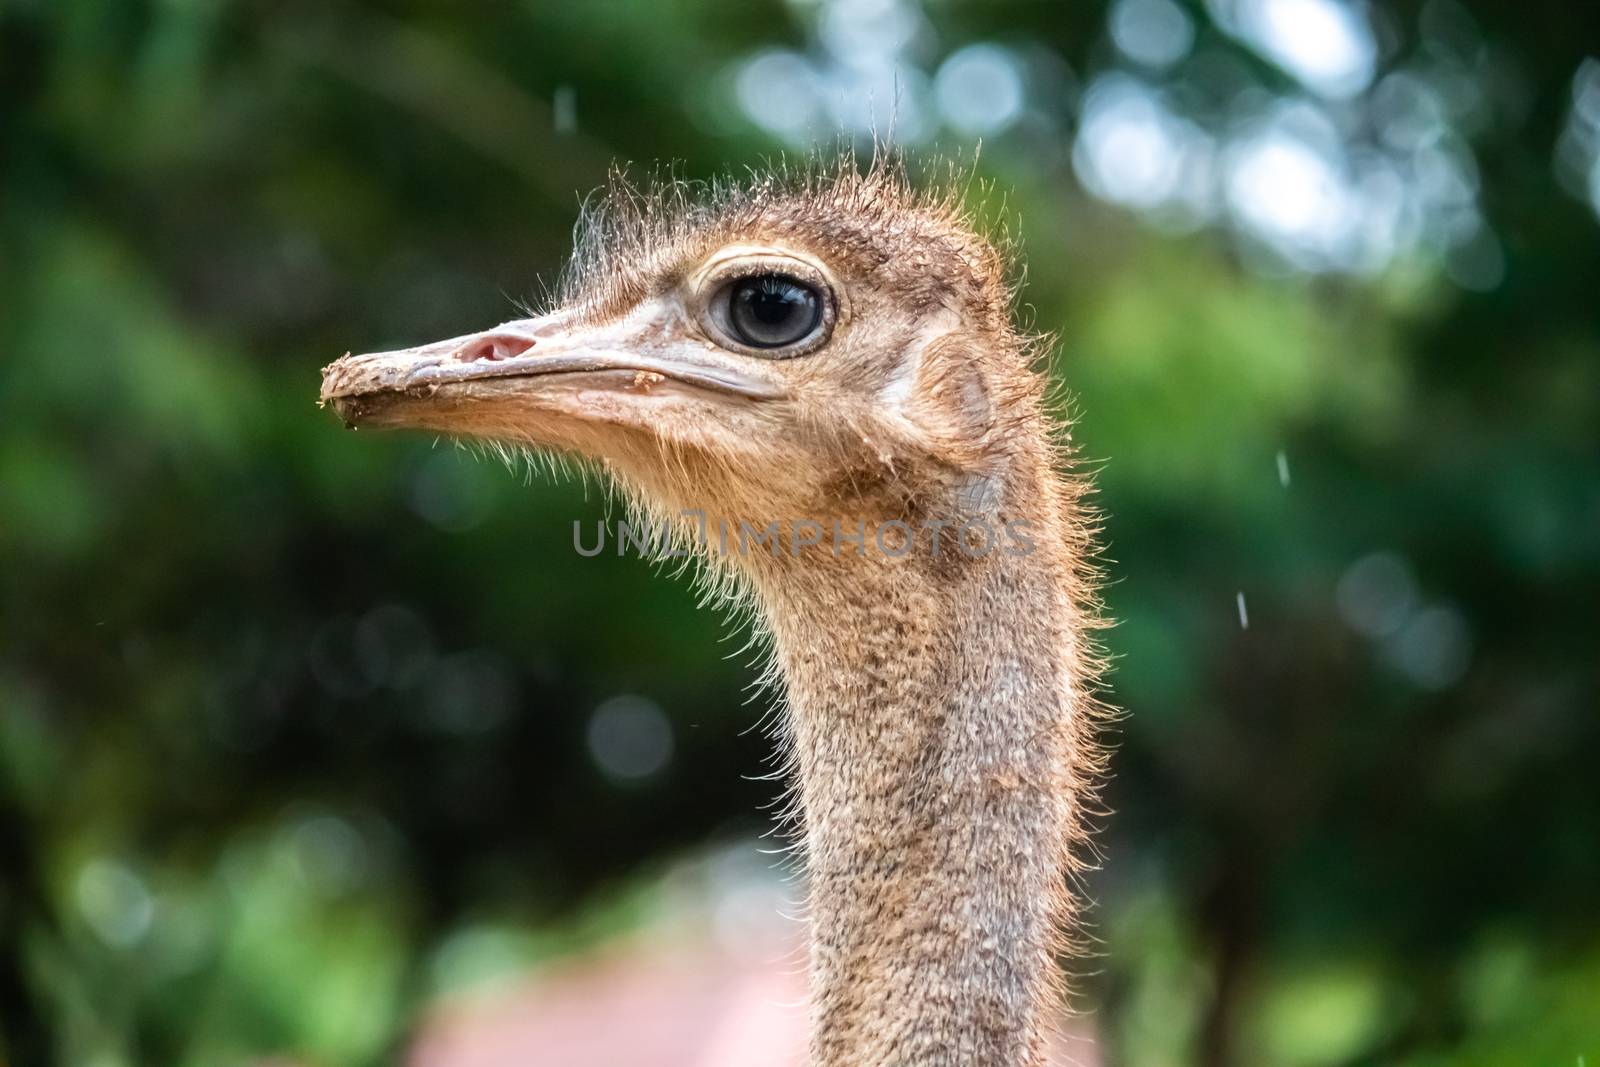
(930, 716)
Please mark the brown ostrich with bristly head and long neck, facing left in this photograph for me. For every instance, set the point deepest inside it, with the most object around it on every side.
(830, 362)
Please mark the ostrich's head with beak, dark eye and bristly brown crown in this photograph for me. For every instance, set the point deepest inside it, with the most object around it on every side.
(791, 350)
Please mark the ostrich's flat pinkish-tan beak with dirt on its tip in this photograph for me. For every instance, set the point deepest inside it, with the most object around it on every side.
(550, 362)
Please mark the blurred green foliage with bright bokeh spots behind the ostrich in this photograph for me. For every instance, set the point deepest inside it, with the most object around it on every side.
(303, 730)
